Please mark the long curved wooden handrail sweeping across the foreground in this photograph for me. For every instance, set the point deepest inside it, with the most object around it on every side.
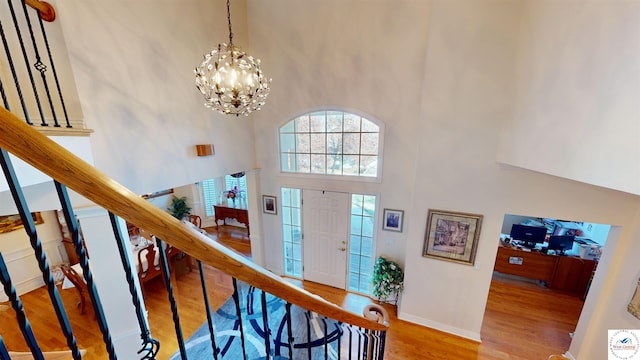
(52, 159)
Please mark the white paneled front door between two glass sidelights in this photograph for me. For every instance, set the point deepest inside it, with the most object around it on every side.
(326, 233)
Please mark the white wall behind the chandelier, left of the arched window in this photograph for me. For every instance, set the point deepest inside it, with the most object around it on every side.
(133, 62)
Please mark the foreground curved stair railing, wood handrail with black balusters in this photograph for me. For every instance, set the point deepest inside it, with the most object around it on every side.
(357, 337)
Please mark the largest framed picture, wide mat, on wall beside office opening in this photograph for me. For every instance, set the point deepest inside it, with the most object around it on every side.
(452, 236)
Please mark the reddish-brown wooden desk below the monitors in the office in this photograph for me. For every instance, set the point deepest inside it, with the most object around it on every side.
(570, 274)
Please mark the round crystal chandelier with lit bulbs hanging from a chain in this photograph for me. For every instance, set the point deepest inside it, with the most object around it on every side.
(230, 80)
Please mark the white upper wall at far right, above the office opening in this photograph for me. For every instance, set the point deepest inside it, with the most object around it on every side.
(576, 92)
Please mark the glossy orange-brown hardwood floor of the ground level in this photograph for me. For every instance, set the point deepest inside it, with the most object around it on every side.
(522, 320)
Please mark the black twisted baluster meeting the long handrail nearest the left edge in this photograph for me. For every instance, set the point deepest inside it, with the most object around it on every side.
(41, 257)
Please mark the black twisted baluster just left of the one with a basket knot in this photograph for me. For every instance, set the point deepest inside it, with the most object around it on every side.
(72, 224)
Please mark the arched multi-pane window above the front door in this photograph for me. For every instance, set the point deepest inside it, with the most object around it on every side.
(330, 142)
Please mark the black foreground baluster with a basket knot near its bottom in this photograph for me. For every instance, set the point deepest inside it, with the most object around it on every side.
(150, 346)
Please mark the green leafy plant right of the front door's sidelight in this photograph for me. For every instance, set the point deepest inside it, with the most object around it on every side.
(388, 280)
